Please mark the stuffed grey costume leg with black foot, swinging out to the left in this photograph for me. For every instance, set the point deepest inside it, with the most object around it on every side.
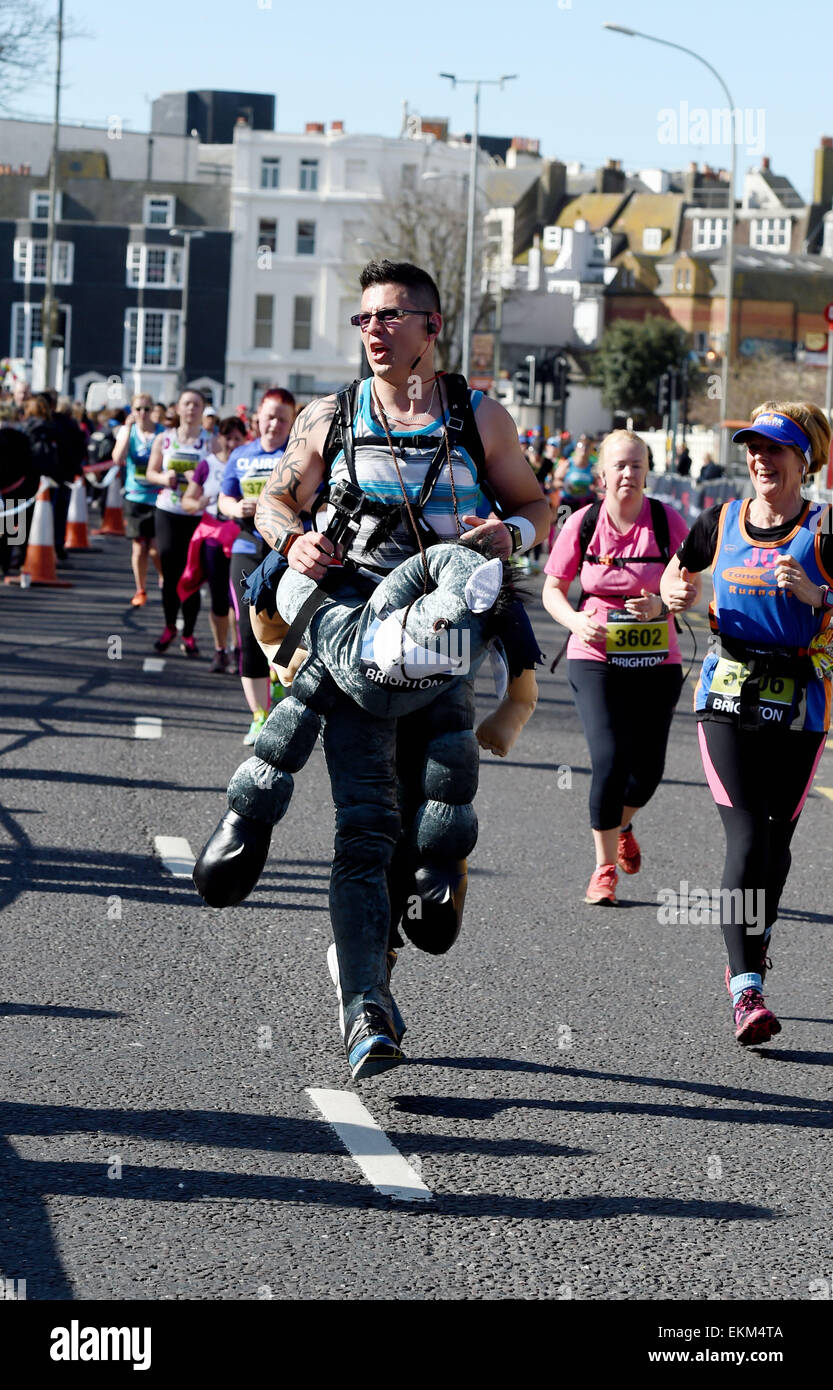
(259, 793)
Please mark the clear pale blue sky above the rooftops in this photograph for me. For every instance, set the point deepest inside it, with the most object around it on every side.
(583, 92)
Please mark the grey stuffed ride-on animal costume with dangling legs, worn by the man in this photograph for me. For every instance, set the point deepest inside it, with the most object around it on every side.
(405, 657)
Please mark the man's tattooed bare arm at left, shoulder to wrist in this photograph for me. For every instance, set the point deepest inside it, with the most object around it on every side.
(298, 473)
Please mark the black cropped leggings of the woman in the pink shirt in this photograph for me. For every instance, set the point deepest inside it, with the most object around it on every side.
(626, 718)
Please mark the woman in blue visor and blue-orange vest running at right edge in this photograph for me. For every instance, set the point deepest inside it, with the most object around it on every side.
(764, 696)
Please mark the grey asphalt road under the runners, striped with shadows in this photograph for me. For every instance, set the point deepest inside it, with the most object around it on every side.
(574, 1097)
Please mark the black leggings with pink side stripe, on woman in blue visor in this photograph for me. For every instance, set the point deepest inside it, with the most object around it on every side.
(759, 780)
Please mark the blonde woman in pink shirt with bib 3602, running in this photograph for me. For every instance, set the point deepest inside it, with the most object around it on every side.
(624, 657)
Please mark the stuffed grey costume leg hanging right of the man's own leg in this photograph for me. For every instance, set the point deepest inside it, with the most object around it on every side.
(444, 825)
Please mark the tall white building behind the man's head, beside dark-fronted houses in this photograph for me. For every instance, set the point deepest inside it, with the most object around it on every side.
(307, 213)
